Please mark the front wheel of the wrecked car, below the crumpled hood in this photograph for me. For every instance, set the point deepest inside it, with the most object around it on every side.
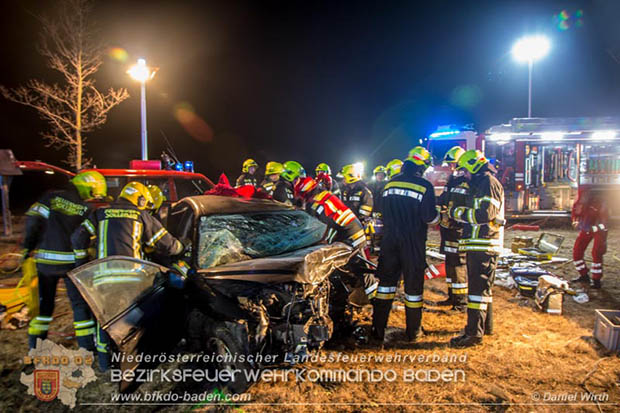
(222, 342)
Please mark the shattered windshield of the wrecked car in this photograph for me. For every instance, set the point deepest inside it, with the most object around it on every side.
(232, 238)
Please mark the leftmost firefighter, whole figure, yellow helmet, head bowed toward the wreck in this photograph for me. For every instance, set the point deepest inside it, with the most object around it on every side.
(49, 225)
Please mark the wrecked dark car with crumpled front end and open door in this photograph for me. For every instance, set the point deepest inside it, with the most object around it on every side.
(256, 281)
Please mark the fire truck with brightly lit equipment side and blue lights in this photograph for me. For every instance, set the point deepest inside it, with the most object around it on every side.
(546, 163)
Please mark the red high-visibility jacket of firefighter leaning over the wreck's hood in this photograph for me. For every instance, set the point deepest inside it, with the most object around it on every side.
(343, 225)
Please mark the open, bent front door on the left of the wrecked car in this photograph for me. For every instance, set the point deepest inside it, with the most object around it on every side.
(130, 300)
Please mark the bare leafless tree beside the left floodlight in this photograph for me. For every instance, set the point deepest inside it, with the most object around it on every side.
(74, 108)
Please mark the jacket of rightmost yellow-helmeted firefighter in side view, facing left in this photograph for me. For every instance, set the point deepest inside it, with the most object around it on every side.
(483, 217)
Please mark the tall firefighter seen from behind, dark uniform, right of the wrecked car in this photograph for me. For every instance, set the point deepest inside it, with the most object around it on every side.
(408, 208)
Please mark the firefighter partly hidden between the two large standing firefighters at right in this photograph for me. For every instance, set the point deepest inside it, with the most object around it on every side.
(454, 194)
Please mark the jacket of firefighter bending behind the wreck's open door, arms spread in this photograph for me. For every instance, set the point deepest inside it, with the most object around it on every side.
(123, 229)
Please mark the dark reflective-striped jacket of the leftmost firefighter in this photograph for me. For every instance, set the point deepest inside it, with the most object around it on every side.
(49, 225)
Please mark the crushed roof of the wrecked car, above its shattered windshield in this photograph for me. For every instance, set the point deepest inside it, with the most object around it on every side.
(216, 204)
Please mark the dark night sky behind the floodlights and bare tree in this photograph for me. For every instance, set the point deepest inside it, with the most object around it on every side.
(318, 81)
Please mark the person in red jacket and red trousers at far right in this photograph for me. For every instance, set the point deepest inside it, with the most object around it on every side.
(590, 216)
